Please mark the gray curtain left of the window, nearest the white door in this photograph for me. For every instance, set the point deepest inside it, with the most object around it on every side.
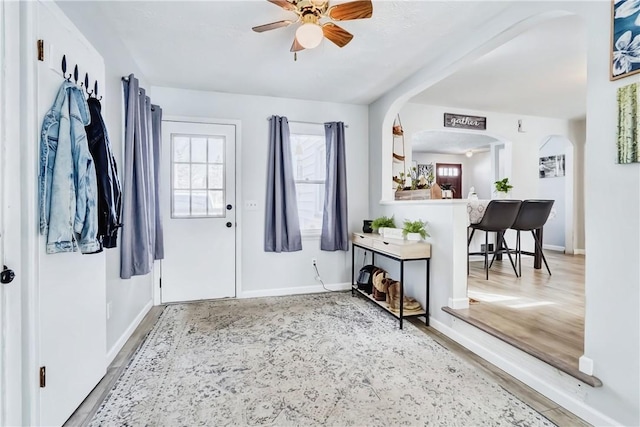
(282, 226)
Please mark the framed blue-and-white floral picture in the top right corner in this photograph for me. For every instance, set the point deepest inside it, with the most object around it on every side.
(625, 38)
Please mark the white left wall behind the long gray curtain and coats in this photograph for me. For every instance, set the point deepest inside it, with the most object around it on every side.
(130, 299)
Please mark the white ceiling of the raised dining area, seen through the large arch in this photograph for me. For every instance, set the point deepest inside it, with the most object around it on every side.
(541, 72)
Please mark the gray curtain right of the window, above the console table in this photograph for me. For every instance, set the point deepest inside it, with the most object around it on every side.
(335, 233)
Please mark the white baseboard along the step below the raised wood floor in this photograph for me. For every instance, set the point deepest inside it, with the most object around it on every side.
(563, 389)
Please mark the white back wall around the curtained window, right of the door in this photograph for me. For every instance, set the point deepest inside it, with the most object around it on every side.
(272, 273)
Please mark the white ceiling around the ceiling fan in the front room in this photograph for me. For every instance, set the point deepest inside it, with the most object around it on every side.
(209, 45)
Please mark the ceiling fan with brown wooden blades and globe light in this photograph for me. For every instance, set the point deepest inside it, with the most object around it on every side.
(310, 13)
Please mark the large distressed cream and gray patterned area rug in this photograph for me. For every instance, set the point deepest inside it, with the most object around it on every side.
(322, 359)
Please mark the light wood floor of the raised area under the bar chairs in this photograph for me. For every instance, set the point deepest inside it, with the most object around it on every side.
(544, 312)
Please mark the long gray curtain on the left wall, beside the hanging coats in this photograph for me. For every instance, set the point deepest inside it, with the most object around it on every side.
(140, 193)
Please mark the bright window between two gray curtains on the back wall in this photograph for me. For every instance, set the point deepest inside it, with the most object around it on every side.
(308, 150)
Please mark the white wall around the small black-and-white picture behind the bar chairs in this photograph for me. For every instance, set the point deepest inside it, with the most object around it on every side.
(555, 189)
